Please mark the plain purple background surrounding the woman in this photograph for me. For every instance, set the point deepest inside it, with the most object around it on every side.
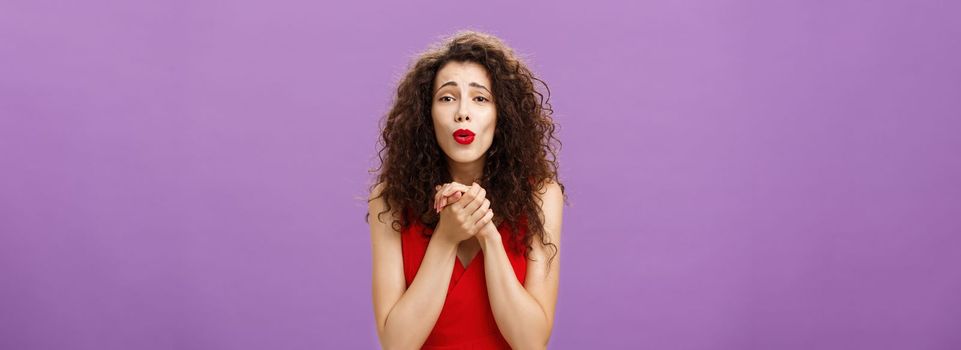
(742, 174)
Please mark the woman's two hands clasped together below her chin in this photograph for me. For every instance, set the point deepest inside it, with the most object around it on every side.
(467, 215)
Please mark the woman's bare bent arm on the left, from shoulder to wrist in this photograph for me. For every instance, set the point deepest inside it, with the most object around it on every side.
(405, 316)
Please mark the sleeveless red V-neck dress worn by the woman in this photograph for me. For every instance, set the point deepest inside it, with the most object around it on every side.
(466, 321)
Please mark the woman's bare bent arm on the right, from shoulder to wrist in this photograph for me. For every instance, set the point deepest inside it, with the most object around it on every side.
(525, 313)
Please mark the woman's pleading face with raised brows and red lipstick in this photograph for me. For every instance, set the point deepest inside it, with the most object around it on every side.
(463, 111)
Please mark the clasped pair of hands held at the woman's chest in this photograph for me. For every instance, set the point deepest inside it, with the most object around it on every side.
(464, 212)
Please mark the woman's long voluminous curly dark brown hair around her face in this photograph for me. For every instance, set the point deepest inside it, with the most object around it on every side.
(522, 157)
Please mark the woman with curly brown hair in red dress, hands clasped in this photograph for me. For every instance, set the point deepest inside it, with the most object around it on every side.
(469, 253)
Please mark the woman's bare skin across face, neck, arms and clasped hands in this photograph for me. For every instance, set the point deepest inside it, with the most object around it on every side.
(524, 313)
